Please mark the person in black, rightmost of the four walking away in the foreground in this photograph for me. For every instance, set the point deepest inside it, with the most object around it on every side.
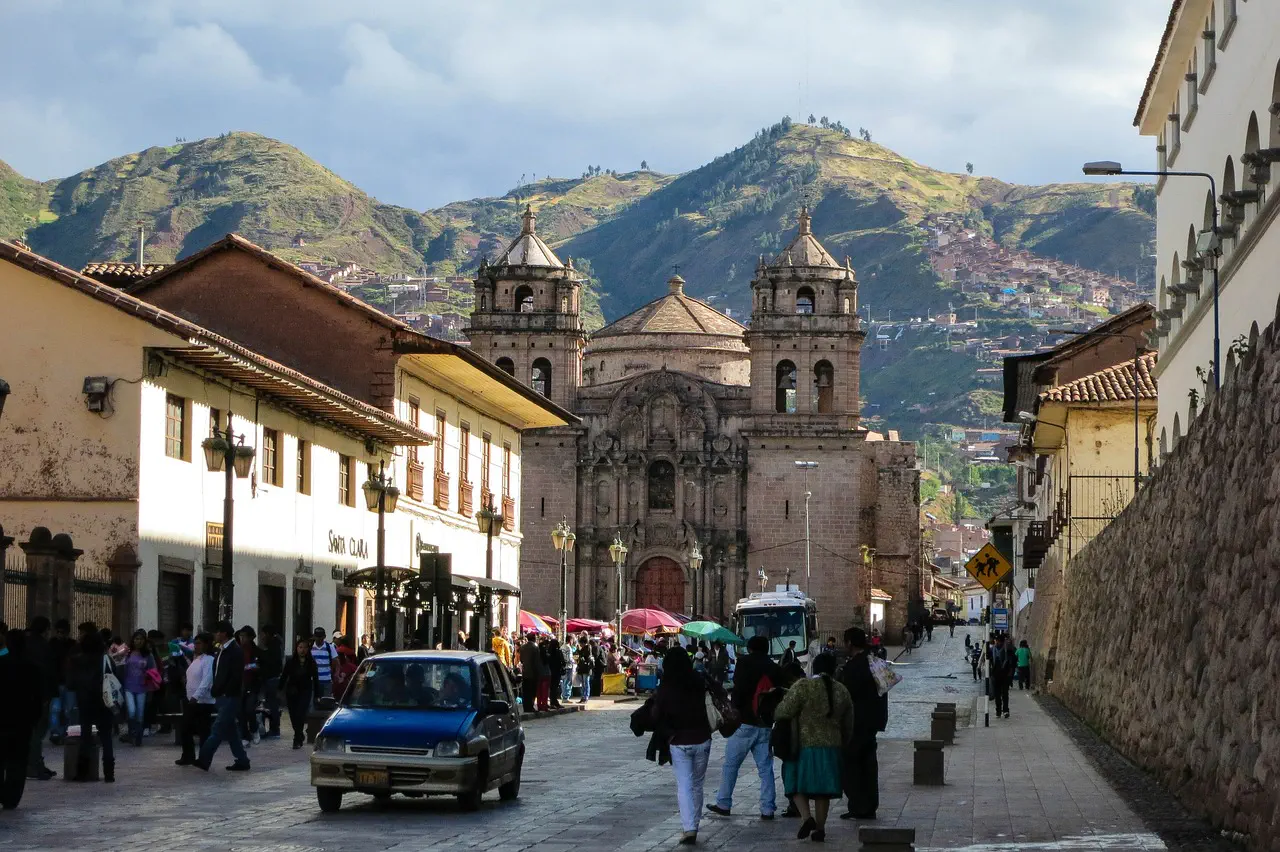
(861, 771)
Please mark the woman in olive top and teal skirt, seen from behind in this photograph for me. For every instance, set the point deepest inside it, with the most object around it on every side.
(824, 714)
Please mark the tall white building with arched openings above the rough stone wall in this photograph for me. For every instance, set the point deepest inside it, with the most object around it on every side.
(1212, 103)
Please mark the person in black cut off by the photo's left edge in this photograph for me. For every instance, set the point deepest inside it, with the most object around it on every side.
(20, 712)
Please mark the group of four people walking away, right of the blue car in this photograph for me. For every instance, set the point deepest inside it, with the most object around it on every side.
(822, 725)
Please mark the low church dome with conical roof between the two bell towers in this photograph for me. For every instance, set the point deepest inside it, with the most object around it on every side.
(675, 332)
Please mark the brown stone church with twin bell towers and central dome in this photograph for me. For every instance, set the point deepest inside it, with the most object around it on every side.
(692, 427)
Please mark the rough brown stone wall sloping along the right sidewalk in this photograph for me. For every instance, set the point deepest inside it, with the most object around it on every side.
(1169, 633)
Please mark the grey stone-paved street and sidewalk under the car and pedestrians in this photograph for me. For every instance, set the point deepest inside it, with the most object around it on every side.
(1021, 785)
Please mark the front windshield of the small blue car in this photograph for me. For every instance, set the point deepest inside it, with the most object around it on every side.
(412, 685)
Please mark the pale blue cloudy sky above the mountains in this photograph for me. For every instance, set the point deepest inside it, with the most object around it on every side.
(423, 103)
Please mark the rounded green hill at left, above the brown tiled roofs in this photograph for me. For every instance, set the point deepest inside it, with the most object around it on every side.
(190, 195)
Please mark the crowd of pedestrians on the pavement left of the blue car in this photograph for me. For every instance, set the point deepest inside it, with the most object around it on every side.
(227, 686)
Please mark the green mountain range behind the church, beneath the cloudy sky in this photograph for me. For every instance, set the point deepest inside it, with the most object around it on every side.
(624, 231)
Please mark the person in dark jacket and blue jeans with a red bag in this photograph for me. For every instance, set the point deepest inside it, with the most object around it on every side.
(757, 674)
